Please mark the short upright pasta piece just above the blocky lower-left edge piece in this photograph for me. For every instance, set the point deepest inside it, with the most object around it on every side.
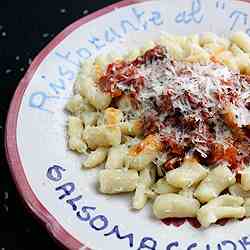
(116, 157)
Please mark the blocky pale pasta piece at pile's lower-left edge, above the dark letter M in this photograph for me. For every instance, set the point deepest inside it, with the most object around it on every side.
(115, 181)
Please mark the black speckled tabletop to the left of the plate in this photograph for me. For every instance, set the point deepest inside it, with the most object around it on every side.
(25, 28)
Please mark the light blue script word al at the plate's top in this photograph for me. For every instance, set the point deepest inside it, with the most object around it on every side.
(194, 15)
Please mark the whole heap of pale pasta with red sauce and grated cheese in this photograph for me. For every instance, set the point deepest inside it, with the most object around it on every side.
(169, 122)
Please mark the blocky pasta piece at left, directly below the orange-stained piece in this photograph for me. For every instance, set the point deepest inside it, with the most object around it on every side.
(102, 136)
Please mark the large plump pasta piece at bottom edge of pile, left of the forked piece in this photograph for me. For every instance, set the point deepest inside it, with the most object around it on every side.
(175, 206)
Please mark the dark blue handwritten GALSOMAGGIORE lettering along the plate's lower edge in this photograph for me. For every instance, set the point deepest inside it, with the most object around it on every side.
(99, 222)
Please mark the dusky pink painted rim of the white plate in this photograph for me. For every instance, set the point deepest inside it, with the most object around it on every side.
(52, 225)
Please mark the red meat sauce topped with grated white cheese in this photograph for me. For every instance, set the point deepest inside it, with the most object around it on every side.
(198, 109)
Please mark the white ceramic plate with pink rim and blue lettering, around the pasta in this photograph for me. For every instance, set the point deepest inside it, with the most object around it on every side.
(49, 176)
